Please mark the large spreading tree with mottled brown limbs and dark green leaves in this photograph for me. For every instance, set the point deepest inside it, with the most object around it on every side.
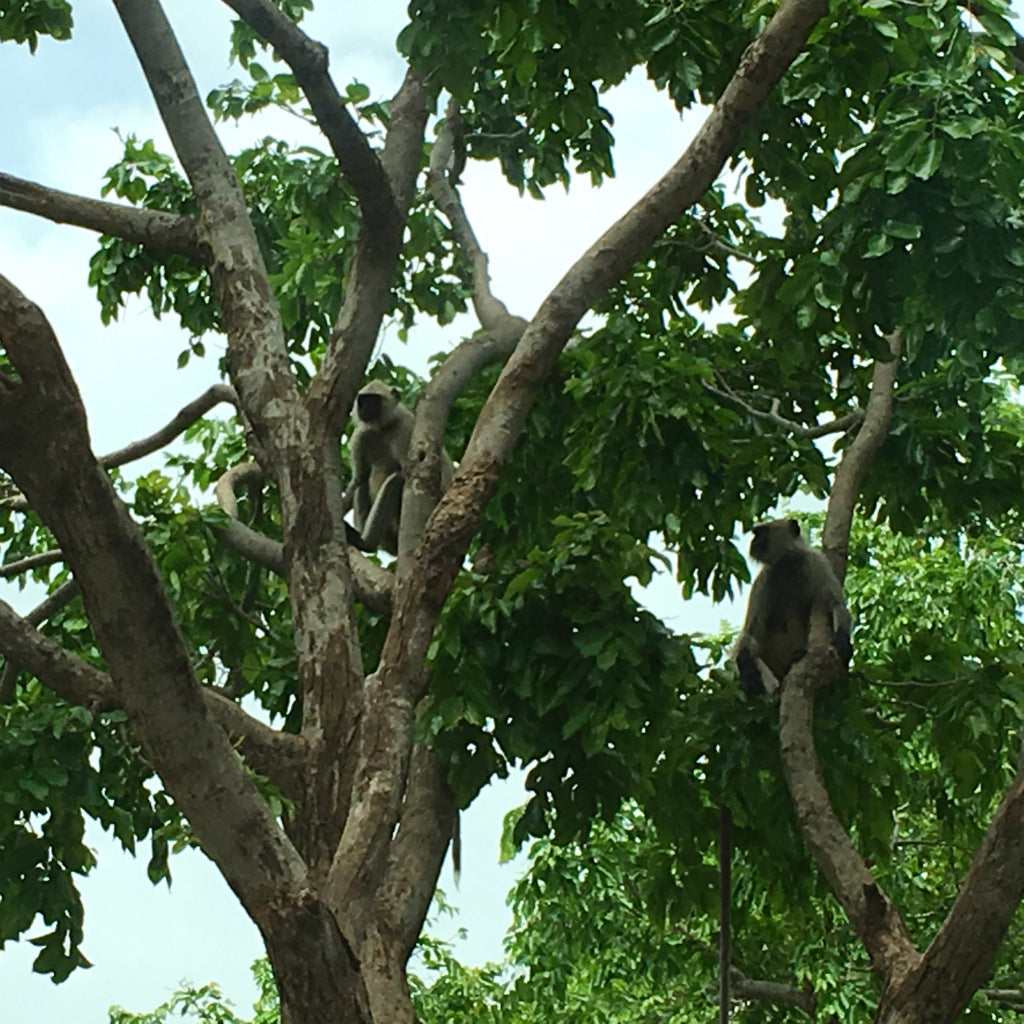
(887, 138)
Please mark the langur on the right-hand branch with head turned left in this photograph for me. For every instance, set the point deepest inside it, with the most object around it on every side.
(794, 582)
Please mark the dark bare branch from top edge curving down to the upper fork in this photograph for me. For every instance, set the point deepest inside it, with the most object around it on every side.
(309, 61)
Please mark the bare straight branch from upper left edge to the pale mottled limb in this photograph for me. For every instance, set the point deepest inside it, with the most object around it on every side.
(148, 228)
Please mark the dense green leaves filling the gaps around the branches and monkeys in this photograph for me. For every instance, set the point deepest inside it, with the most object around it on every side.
(883, 193)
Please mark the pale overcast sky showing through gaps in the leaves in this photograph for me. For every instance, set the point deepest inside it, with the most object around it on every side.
(61, 132)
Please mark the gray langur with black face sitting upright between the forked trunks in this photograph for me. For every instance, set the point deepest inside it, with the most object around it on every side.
(379, 448)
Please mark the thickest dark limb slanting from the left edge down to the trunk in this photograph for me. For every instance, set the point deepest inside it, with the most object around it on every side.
(46, 449)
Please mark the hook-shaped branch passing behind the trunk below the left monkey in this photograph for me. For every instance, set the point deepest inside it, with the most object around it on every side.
(373, 584)
